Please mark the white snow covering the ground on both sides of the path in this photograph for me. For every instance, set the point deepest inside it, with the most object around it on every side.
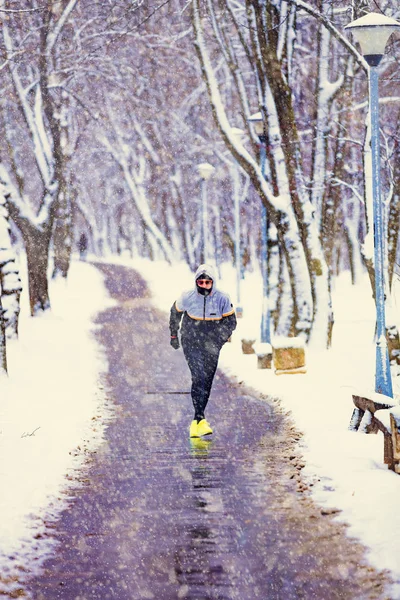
(54, 410)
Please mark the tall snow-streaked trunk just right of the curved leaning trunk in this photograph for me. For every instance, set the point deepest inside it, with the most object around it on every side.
(282, 136)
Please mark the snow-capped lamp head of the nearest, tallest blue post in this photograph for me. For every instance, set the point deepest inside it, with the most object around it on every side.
(372, 32)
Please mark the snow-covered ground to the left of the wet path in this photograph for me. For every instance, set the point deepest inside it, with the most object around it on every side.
(52, 413)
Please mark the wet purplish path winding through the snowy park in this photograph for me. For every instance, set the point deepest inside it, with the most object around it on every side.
(163, 517)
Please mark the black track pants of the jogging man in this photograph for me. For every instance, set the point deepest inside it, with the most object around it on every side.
(202, 365)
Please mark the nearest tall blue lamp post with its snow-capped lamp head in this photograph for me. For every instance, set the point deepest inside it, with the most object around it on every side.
(372, 32)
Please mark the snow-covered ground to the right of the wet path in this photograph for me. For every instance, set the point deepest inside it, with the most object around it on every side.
(345, 468)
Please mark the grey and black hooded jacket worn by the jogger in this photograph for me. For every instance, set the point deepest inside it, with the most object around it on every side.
(207, 318)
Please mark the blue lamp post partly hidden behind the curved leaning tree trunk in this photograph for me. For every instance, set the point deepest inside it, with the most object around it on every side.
(257, 120)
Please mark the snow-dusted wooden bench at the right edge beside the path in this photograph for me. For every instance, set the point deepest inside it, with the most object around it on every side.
(379, 413)
